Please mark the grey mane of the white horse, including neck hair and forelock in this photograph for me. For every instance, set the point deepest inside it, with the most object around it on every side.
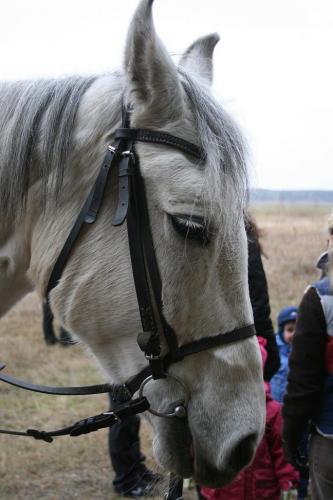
(37, 120)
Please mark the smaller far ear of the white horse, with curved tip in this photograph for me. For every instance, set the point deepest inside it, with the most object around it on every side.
(198, 59)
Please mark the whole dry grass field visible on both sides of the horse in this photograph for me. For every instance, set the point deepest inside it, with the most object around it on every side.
(73, 468)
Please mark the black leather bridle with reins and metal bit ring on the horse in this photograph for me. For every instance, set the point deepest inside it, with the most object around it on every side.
(132, 207)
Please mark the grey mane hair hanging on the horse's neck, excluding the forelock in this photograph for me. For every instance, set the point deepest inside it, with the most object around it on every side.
(35, 113)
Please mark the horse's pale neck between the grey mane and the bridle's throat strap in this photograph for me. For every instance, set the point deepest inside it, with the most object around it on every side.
(30, 243)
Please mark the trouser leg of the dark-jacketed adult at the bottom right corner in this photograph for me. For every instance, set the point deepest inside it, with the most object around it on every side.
(321, 467)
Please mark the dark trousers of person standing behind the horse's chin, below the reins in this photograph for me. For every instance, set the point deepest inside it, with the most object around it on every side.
(126, 457)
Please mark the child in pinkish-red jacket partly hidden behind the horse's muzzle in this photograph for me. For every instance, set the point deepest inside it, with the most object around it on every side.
(269, 474)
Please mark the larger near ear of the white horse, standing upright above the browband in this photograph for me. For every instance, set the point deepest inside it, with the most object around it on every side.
(152, 76)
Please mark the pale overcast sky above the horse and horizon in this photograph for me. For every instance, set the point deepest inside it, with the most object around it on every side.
(273, 66)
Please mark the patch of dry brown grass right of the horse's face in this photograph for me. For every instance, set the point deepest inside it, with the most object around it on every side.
(293, 238)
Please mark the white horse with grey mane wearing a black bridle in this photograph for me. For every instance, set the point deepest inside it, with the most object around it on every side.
(54, 134)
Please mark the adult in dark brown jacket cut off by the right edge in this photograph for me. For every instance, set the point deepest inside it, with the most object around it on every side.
(309, 396)
